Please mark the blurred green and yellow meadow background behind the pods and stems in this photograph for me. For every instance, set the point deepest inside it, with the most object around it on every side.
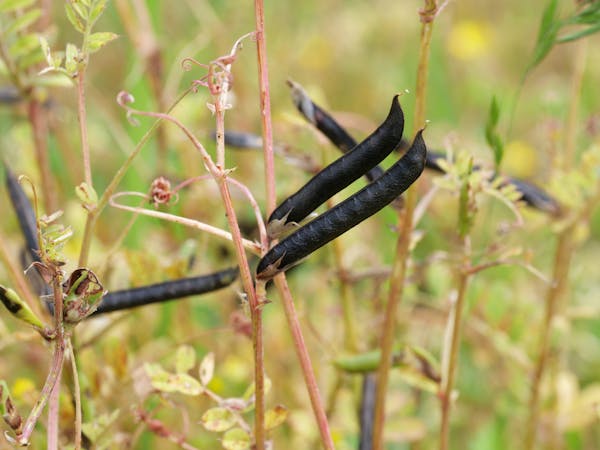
(352, 56)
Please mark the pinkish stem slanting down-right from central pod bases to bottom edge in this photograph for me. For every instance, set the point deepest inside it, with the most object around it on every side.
(304, 358)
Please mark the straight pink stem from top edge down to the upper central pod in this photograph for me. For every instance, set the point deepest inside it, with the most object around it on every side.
(265, 104)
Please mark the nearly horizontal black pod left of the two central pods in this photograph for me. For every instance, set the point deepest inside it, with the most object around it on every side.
(168, 290)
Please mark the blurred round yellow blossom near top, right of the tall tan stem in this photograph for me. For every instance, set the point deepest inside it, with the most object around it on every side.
(469, 40)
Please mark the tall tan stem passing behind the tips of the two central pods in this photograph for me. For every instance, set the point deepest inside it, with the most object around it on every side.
(402, 254)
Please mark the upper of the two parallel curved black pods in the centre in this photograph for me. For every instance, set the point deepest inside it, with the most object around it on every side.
(341, 173)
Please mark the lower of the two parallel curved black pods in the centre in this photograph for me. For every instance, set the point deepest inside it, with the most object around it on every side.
(347, 214)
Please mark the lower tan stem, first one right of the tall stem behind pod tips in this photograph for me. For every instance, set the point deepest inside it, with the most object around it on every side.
(451, 360)
